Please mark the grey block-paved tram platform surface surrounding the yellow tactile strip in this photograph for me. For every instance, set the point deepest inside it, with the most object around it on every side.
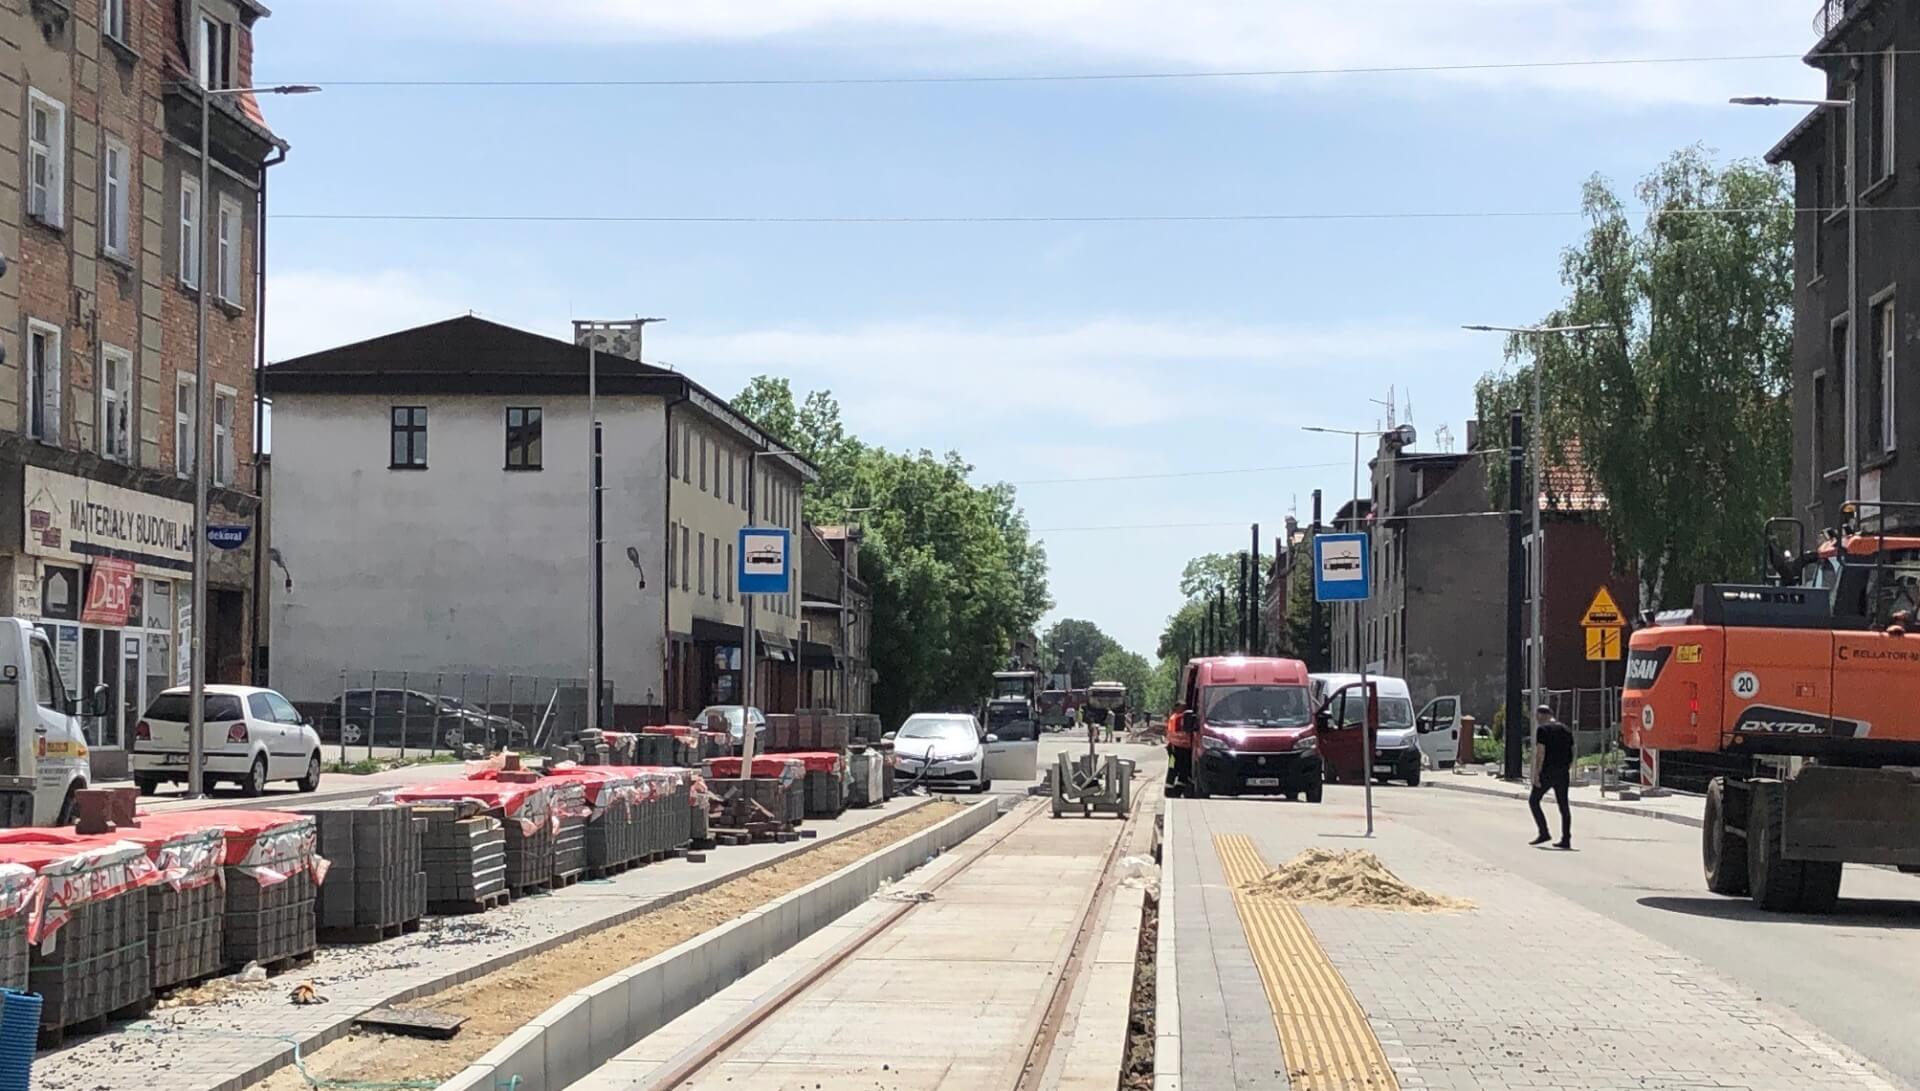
(1524, 990)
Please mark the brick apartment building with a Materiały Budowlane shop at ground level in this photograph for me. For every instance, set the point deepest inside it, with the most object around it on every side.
(110, 241)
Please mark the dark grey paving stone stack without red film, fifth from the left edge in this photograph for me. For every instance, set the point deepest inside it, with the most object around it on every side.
(377, 877)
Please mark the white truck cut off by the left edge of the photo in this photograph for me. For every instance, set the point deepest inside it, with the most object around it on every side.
(43, 746)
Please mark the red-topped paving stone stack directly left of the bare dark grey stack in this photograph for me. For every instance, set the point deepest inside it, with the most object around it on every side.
(272, 896)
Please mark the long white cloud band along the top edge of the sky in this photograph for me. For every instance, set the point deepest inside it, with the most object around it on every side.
(1011, 36)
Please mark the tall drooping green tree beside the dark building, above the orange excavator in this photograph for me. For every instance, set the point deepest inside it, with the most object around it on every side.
(1679, 410)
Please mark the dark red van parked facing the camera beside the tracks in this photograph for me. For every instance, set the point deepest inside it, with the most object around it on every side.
(1245, 727)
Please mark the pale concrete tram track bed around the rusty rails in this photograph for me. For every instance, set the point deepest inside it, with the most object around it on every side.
(951, 996)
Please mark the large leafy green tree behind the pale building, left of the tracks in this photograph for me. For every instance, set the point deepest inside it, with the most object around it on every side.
(953, 568)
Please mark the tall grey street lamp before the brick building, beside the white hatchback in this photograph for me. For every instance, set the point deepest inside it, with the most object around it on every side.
(203, 412)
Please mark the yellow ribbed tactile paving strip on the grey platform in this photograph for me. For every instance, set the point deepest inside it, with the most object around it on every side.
(1324, 1032)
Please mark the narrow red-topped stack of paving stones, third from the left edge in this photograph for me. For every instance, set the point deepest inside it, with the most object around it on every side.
(187, 908)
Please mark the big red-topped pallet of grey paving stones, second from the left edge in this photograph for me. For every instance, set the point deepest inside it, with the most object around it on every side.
(85, 929)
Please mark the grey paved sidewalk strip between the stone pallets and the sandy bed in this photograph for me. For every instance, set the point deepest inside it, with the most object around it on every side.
(247, 1034)
